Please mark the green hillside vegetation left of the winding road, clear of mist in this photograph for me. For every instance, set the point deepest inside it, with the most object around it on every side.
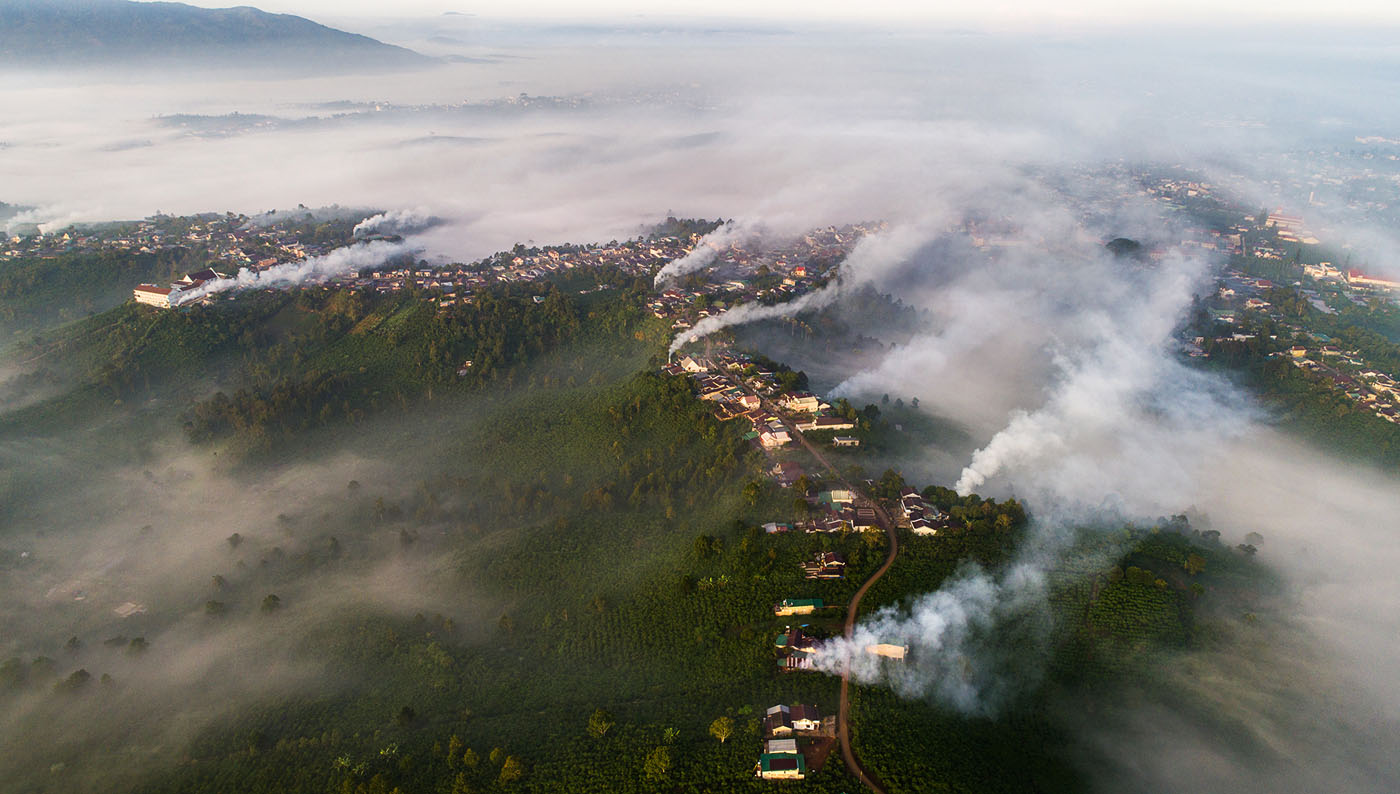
(580, 537)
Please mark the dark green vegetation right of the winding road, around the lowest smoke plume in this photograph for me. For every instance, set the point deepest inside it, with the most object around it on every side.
(1123, 603)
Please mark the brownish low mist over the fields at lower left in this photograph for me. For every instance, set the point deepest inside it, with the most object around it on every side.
(156, 592)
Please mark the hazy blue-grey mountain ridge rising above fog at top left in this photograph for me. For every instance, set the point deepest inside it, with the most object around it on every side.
(92, 33)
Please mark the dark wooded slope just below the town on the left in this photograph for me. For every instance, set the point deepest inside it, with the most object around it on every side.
(318, 356)
